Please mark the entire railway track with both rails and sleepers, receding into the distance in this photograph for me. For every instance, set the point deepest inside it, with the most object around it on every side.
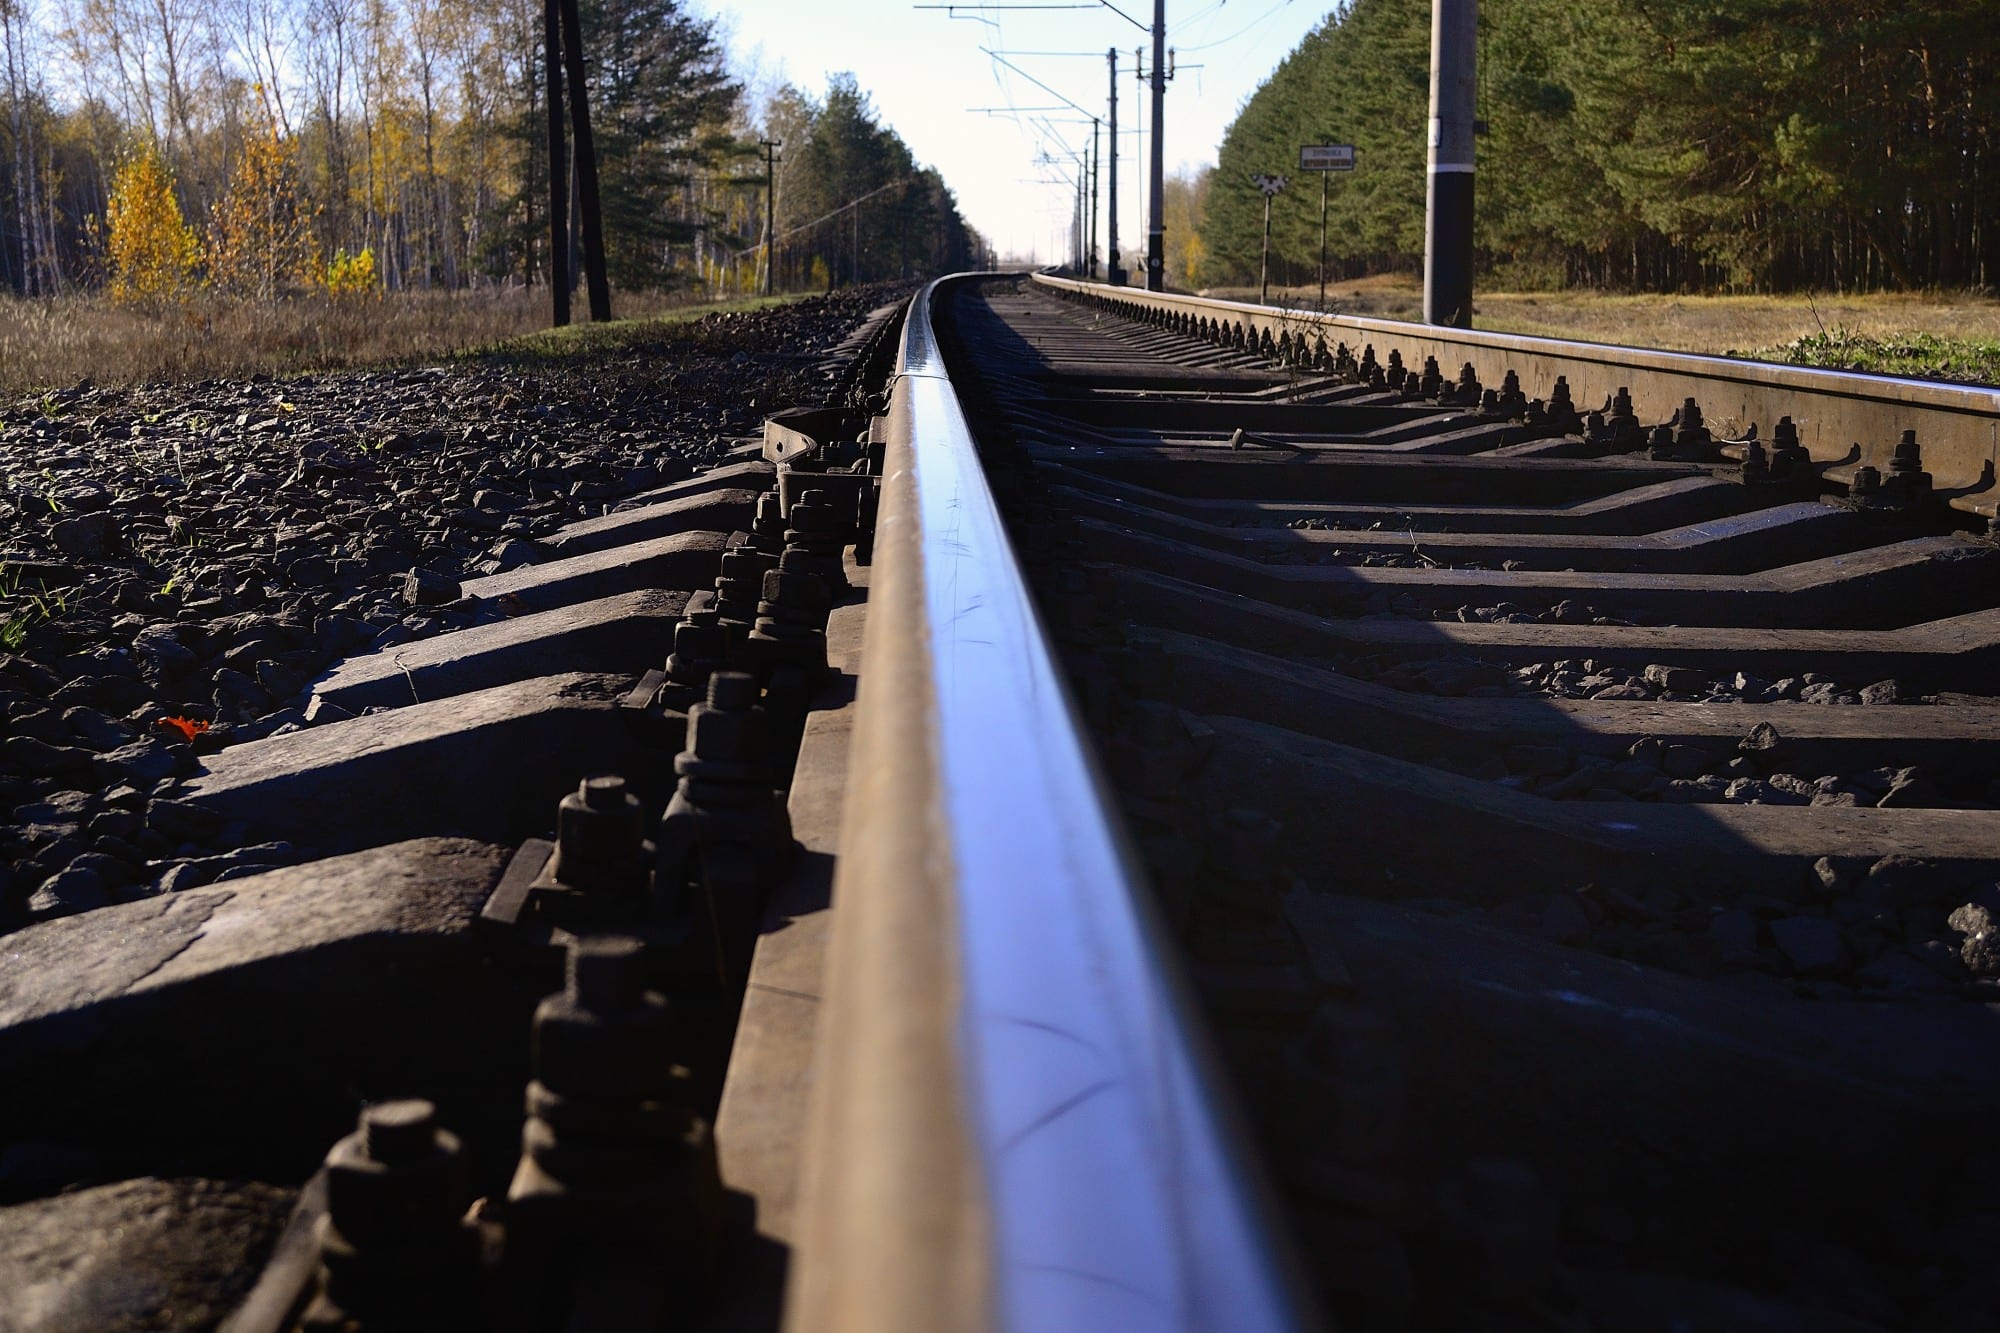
(1137, 814)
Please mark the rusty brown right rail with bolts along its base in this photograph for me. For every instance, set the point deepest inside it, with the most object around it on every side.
(1845, 419)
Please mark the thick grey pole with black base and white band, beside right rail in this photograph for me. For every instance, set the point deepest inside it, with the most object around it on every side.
(1449, 209)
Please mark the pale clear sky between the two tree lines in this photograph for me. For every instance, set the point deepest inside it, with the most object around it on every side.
(927, 73)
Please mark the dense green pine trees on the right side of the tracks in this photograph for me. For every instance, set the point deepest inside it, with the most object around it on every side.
(1757, 145)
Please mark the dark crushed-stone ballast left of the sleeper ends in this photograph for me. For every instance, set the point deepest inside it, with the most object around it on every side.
(205, 551)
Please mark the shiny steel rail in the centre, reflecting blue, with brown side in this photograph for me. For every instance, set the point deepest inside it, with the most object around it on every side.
(1013, 1122)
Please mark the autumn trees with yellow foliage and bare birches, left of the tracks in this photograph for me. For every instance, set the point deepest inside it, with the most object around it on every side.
(401, 143)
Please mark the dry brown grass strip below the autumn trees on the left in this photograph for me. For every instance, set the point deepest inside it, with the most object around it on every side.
(57, 343)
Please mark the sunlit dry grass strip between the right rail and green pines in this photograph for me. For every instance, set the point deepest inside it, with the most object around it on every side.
(1887, 331)
